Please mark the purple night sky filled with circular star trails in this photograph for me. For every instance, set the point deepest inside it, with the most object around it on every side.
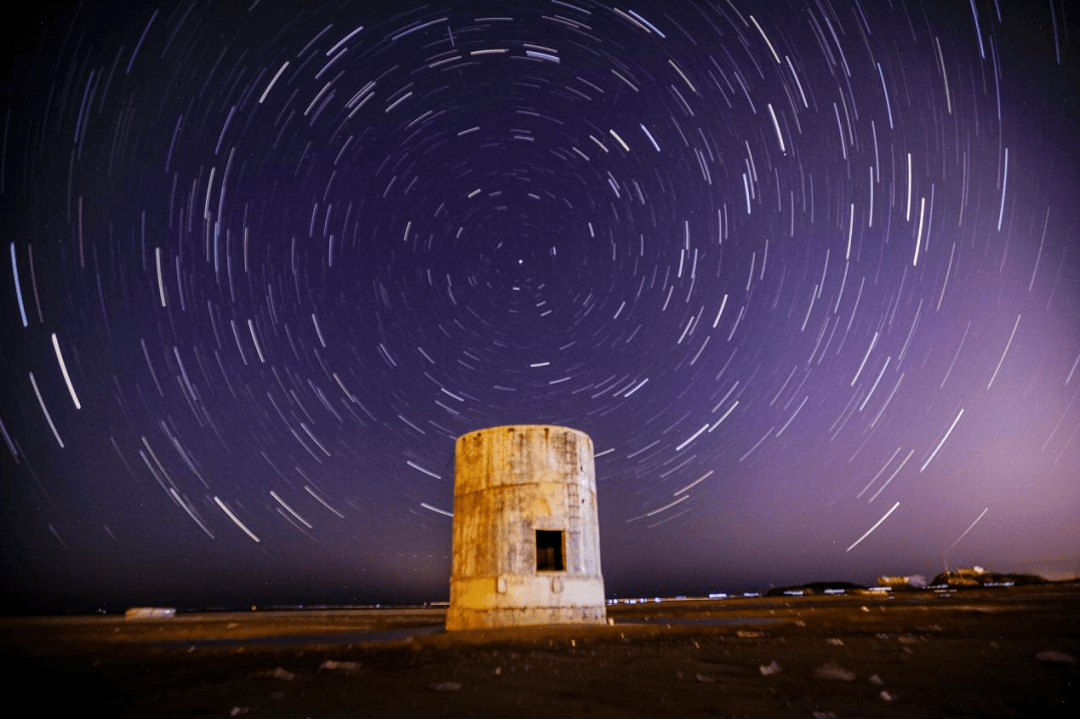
(807, 273)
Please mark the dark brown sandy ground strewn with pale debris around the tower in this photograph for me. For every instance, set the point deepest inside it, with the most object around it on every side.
(978, 654)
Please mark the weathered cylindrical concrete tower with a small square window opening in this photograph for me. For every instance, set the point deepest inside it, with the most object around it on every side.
(526, 540)
